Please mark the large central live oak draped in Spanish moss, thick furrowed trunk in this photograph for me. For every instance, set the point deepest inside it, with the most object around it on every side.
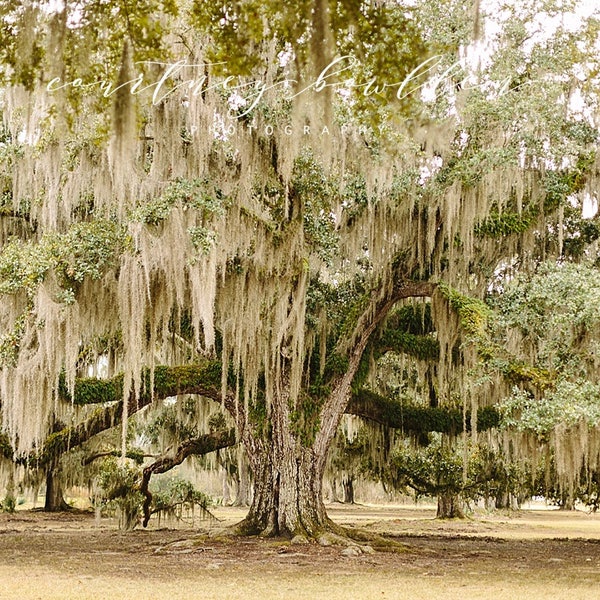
(232, 191)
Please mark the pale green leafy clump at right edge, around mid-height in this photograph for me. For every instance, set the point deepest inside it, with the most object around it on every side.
(556, 314)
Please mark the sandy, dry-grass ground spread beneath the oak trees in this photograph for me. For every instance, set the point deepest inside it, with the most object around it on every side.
(532, 554)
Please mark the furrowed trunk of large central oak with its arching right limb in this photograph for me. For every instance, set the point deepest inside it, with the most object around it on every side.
(289, 465)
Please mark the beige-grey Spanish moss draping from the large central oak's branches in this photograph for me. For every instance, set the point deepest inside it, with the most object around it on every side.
(180, 223)
